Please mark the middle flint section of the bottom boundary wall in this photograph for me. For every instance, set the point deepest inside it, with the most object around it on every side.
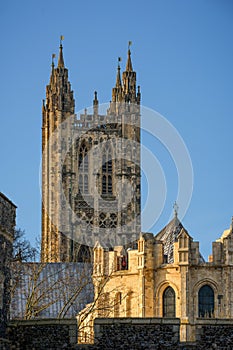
(135, 333)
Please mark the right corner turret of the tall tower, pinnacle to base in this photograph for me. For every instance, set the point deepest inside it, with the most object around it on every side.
(125, 107)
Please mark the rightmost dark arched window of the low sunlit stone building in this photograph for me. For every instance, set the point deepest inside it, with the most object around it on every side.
(205, 301)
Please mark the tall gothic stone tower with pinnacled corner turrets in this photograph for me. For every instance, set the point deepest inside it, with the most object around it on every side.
(90, 169)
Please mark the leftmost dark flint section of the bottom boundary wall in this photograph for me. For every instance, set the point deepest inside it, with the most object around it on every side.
(43, 334)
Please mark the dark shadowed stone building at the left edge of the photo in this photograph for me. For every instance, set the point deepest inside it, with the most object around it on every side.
(7, 225)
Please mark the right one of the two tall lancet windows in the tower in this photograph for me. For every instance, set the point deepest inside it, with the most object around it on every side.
(107, 171)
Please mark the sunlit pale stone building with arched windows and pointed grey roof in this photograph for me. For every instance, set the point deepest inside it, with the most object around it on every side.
(146, 282)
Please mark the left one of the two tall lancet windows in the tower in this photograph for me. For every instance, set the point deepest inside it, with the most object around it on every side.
(83, 169)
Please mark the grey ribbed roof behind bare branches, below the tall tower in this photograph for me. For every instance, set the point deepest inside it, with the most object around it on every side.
(50, 289)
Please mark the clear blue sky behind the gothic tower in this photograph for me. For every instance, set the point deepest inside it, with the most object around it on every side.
(183, 54)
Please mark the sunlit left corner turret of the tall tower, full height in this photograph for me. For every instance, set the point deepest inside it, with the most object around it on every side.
(59, 105)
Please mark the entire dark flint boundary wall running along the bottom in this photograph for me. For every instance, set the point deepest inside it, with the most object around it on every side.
(118, 333)
